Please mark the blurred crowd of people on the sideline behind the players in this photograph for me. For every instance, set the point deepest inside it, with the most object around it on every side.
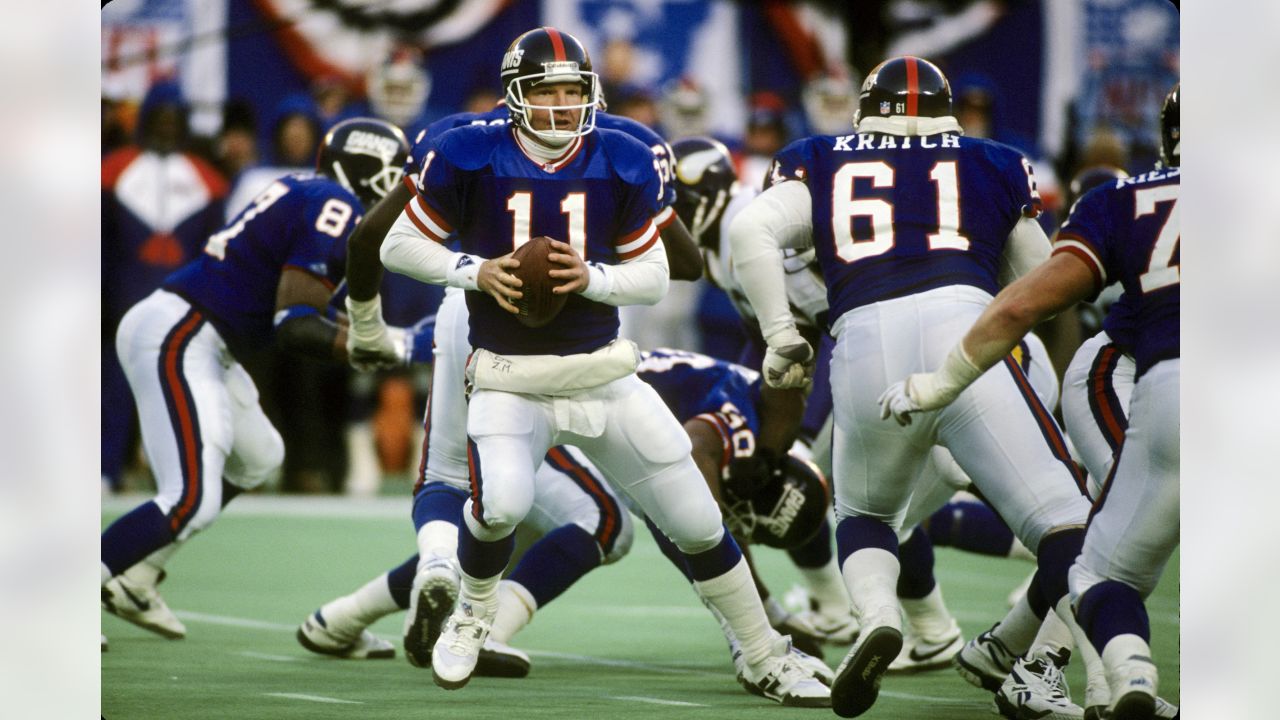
(166, 189)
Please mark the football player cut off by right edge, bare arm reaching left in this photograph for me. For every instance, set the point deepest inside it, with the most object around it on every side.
(1126, 231)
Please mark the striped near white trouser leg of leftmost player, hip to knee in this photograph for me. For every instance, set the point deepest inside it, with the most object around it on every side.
(175, 367)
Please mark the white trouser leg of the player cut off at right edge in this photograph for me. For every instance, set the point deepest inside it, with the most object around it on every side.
(1136, 530)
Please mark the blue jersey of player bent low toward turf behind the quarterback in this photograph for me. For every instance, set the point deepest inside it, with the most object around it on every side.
(694, 385)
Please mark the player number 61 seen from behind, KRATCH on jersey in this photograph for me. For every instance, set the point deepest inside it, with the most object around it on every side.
(911, 224)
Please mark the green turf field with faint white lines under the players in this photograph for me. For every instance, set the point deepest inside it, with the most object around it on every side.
(629, 641)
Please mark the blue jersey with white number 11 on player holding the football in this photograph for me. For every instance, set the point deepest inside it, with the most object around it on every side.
(601, 198)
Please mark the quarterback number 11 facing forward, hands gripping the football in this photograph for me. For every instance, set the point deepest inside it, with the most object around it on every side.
(572, 381)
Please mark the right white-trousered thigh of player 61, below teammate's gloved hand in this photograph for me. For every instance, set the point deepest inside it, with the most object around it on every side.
(1012, 449)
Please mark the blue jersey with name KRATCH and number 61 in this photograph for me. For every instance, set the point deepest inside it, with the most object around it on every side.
(895, 216)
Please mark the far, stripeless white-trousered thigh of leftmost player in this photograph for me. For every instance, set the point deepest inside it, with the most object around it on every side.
(258, 450)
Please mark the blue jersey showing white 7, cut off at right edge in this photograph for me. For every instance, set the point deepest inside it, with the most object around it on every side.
(1130, 231)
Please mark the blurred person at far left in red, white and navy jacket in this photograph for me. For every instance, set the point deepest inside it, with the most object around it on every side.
(161, 203)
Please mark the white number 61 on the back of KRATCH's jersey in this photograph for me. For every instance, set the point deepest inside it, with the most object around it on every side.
(845, 208)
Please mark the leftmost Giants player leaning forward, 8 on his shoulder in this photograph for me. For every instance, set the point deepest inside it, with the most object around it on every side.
(266, 277)
